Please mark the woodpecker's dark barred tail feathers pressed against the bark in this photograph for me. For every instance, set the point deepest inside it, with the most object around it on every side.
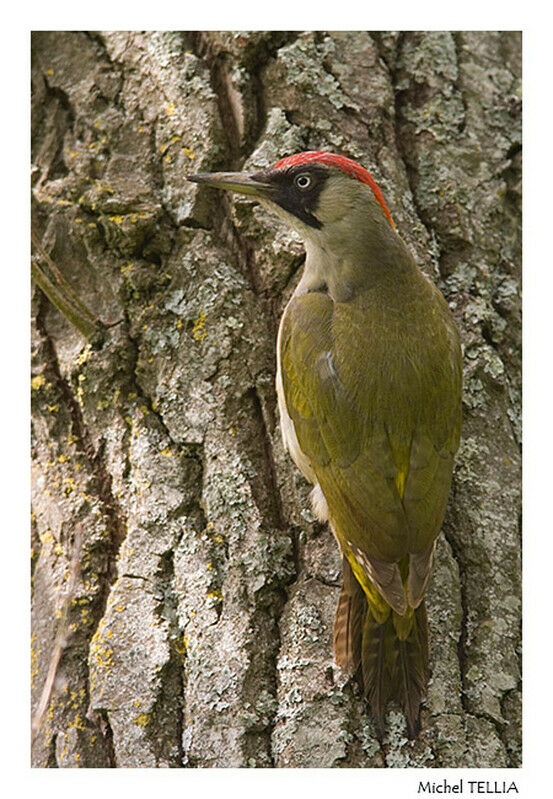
(393, 654)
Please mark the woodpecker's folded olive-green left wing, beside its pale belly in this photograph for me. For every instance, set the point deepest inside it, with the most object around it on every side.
(330, 428)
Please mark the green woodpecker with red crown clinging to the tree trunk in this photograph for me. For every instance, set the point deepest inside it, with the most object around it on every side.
(369, 393)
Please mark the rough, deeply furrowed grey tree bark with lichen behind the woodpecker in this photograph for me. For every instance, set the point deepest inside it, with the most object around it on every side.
(177, 567)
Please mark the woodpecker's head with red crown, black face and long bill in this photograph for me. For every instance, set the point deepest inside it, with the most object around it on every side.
(330, 200)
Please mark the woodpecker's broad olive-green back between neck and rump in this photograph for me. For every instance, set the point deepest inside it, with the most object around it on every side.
(373, 387)
